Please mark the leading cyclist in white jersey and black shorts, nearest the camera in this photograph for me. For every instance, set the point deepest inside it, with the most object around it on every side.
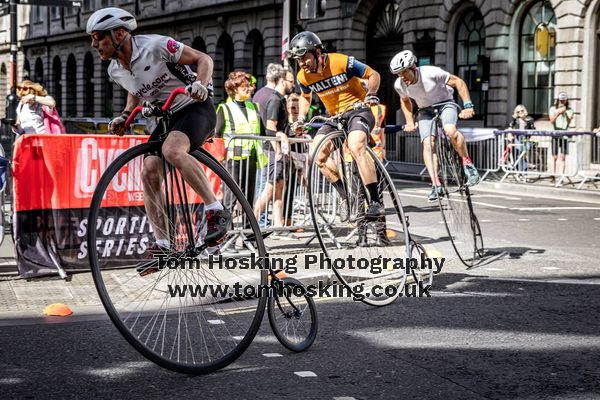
(149, 67)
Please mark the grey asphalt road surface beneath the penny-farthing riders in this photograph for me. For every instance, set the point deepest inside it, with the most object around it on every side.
(522, 325)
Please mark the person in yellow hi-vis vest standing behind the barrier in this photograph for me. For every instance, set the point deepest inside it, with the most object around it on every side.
(239, 116)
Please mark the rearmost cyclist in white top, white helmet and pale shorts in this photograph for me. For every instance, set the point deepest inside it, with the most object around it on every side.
(429, 85)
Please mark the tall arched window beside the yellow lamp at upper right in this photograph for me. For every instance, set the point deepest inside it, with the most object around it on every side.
(536, 58)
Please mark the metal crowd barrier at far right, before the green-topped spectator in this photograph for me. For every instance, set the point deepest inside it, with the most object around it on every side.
(528, 155)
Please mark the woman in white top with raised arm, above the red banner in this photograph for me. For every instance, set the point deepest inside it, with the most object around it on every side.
(30, 117)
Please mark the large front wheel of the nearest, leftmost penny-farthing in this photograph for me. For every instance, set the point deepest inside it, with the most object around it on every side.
(181, 312)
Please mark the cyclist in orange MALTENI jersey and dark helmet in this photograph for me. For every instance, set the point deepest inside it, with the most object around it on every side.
(336, 79)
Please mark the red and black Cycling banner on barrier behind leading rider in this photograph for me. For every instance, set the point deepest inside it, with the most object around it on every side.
(54, 180)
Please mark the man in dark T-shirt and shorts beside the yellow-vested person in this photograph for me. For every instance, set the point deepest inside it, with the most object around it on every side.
(277, 123)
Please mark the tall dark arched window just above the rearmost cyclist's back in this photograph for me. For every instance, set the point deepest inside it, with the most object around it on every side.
(470, 43)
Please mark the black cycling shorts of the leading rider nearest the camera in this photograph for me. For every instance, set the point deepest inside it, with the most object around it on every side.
(196, 120)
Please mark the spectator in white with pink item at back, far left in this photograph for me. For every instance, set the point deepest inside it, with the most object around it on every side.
(36, 111)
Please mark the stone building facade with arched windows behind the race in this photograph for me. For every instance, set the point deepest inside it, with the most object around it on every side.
(536, 48)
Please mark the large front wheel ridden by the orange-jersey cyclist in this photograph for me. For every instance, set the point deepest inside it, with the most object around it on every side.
(369, 256)
